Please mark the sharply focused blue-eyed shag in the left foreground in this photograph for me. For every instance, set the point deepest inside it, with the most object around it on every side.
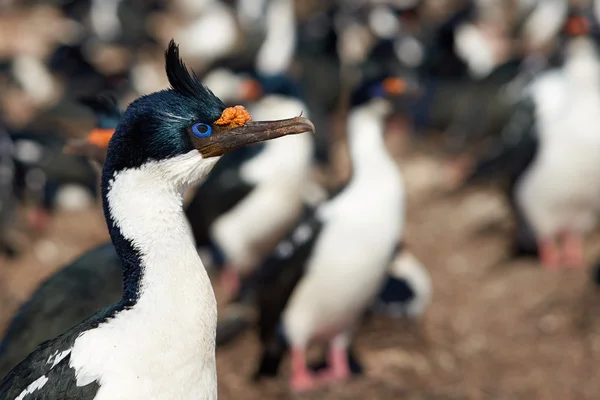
(158, 341)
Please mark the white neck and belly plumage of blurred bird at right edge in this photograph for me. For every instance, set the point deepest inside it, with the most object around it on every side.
(561, 190)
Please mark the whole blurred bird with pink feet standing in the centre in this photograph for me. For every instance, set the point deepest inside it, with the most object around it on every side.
(325, 273)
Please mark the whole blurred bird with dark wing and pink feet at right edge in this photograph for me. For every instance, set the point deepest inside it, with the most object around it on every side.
(534, 151)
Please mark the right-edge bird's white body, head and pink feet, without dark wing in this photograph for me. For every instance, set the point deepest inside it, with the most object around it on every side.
(567, 101)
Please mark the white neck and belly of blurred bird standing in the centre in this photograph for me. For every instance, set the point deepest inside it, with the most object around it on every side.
(362, 226)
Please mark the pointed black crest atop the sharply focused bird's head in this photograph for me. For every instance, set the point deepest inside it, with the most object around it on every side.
(186, 84)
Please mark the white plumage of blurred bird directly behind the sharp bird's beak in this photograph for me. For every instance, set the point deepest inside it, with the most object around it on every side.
(282, 175)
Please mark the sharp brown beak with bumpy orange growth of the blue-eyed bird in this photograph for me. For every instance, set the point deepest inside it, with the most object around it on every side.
(235, 129)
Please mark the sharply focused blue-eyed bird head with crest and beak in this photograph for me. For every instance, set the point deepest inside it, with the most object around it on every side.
(186, 120)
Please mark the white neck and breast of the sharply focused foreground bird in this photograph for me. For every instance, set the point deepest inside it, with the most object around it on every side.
(163, 345)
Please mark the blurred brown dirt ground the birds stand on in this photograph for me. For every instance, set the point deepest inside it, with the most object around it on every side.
(496, 329)
